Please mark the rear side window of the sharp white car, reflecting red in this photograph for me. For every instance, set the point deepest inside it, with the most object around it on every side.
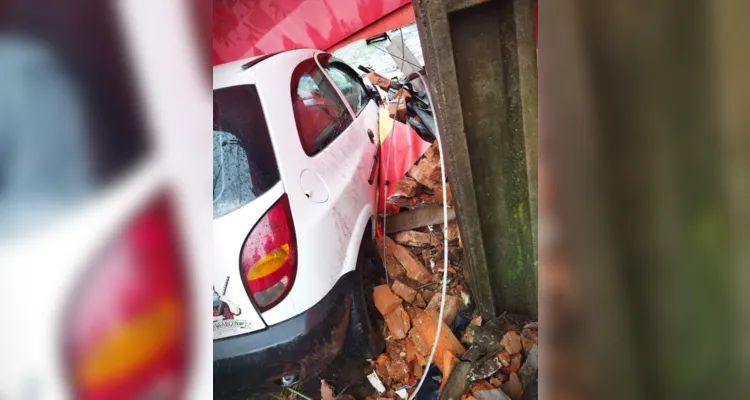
(319, 112)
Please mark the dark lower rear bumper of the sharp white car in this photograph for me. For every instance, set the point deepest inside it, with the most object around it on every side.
(301, 346)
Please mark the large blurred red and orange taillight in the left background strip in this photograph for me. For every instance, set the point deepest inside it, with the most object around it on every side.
(127, 331)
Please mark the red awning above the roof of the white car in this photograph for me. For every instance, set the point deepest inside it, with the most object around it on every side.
(245, 28)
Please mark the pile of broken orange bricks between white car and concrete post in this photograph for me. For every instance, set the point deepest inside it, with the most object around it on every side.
(494, 360)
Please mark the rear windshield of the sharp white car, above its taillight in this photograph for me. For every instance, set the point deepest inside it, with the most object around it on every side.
(244, 163)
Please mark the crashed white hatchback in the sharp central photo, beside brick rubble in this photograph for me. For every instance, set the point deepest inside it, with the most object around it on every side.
(295, 189)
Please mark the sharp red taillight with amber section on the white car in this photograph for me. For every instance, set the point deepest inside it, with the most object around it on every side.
(269, 257)
